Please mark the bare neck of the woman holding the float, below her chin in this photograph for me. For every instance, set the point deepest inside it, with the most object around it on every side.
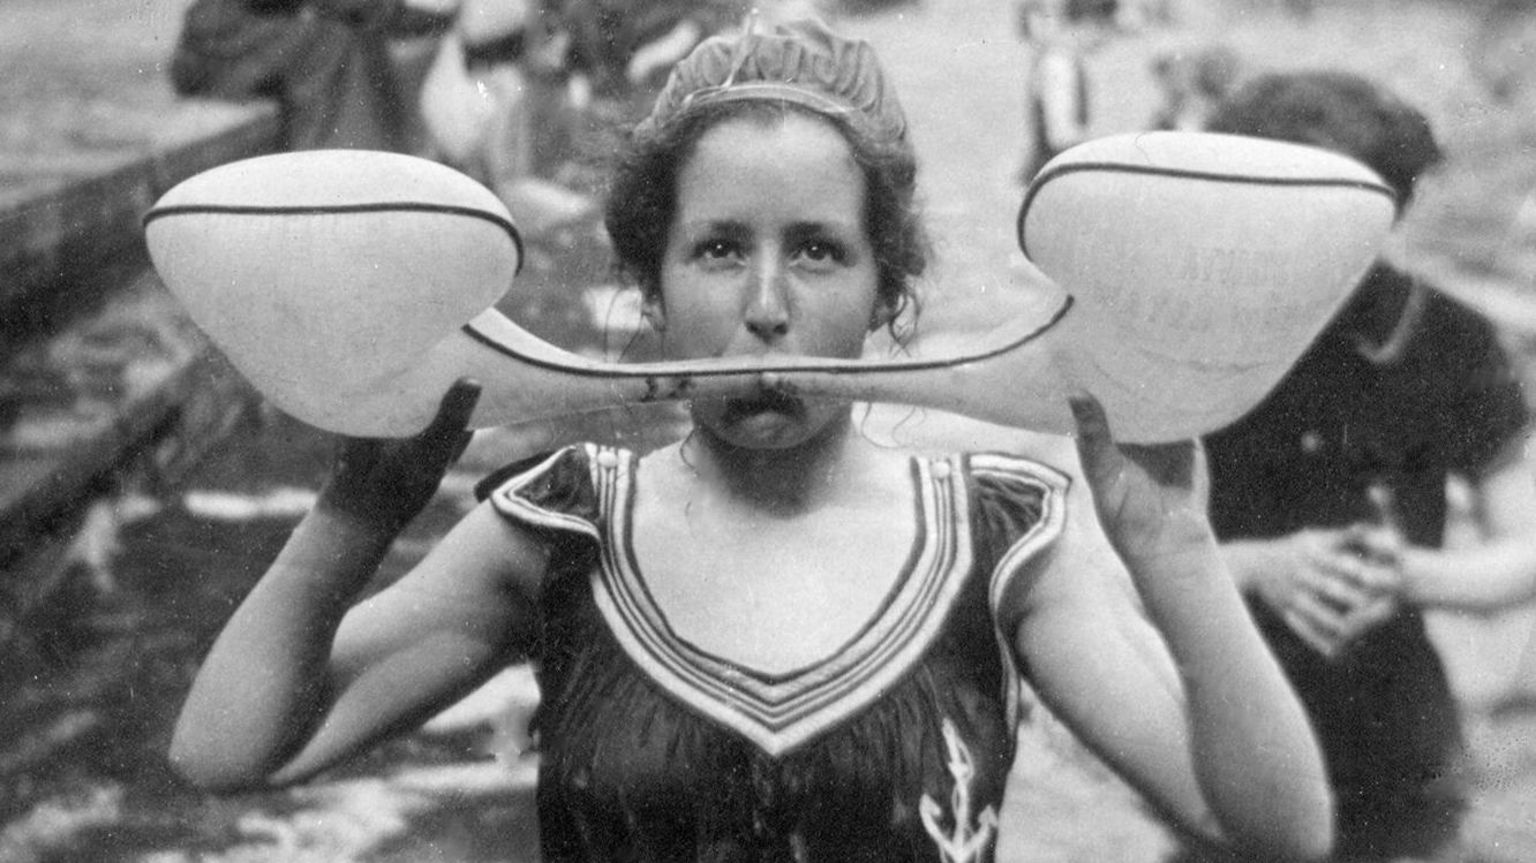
(784, 481)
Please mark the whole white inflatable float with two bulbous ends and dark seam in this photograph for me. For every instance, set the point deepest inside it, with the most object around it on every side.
(354, 288)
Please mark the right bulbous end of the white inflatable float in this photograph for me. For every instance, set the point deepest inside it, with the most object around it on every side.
(1202, 266)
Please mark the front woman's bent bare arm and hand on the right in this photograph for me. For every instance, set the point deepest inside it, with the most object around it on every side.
(1216, 738)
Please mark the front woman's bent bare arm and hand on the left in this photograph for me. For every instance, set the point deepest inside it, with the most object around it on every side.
(300, 678)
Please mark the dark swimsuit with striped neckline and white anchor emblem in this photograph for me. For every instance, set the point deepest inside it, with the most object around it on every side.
(896, 747)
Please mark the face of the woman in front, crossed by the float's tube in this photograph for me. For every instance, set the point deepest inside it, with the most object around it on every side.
(769, 256)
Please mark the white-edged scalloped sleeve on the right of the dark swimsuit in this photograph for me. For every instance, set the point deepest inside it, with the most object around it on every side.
(1019, 515)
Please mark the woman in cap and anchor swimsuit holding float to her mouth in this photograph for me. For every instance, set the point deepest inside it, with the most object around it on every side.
(773, 640)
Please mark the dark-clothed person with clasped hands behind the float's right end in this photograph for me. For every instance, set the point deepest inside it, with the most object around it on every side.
(1331, 498)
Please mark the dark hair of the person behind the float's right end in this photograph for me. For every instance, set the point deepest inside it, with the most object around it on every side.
(1339, 111)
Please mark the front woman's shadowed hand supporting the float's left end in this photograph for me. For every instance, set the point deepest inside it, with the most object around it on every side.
(385, 483)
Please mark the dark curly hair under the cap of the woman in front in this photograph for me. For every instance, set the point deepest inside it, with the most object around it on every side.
(643, 197)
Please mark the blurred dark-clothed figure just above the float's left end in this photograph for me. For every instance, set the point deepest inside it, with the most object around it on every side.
(343, 73)
